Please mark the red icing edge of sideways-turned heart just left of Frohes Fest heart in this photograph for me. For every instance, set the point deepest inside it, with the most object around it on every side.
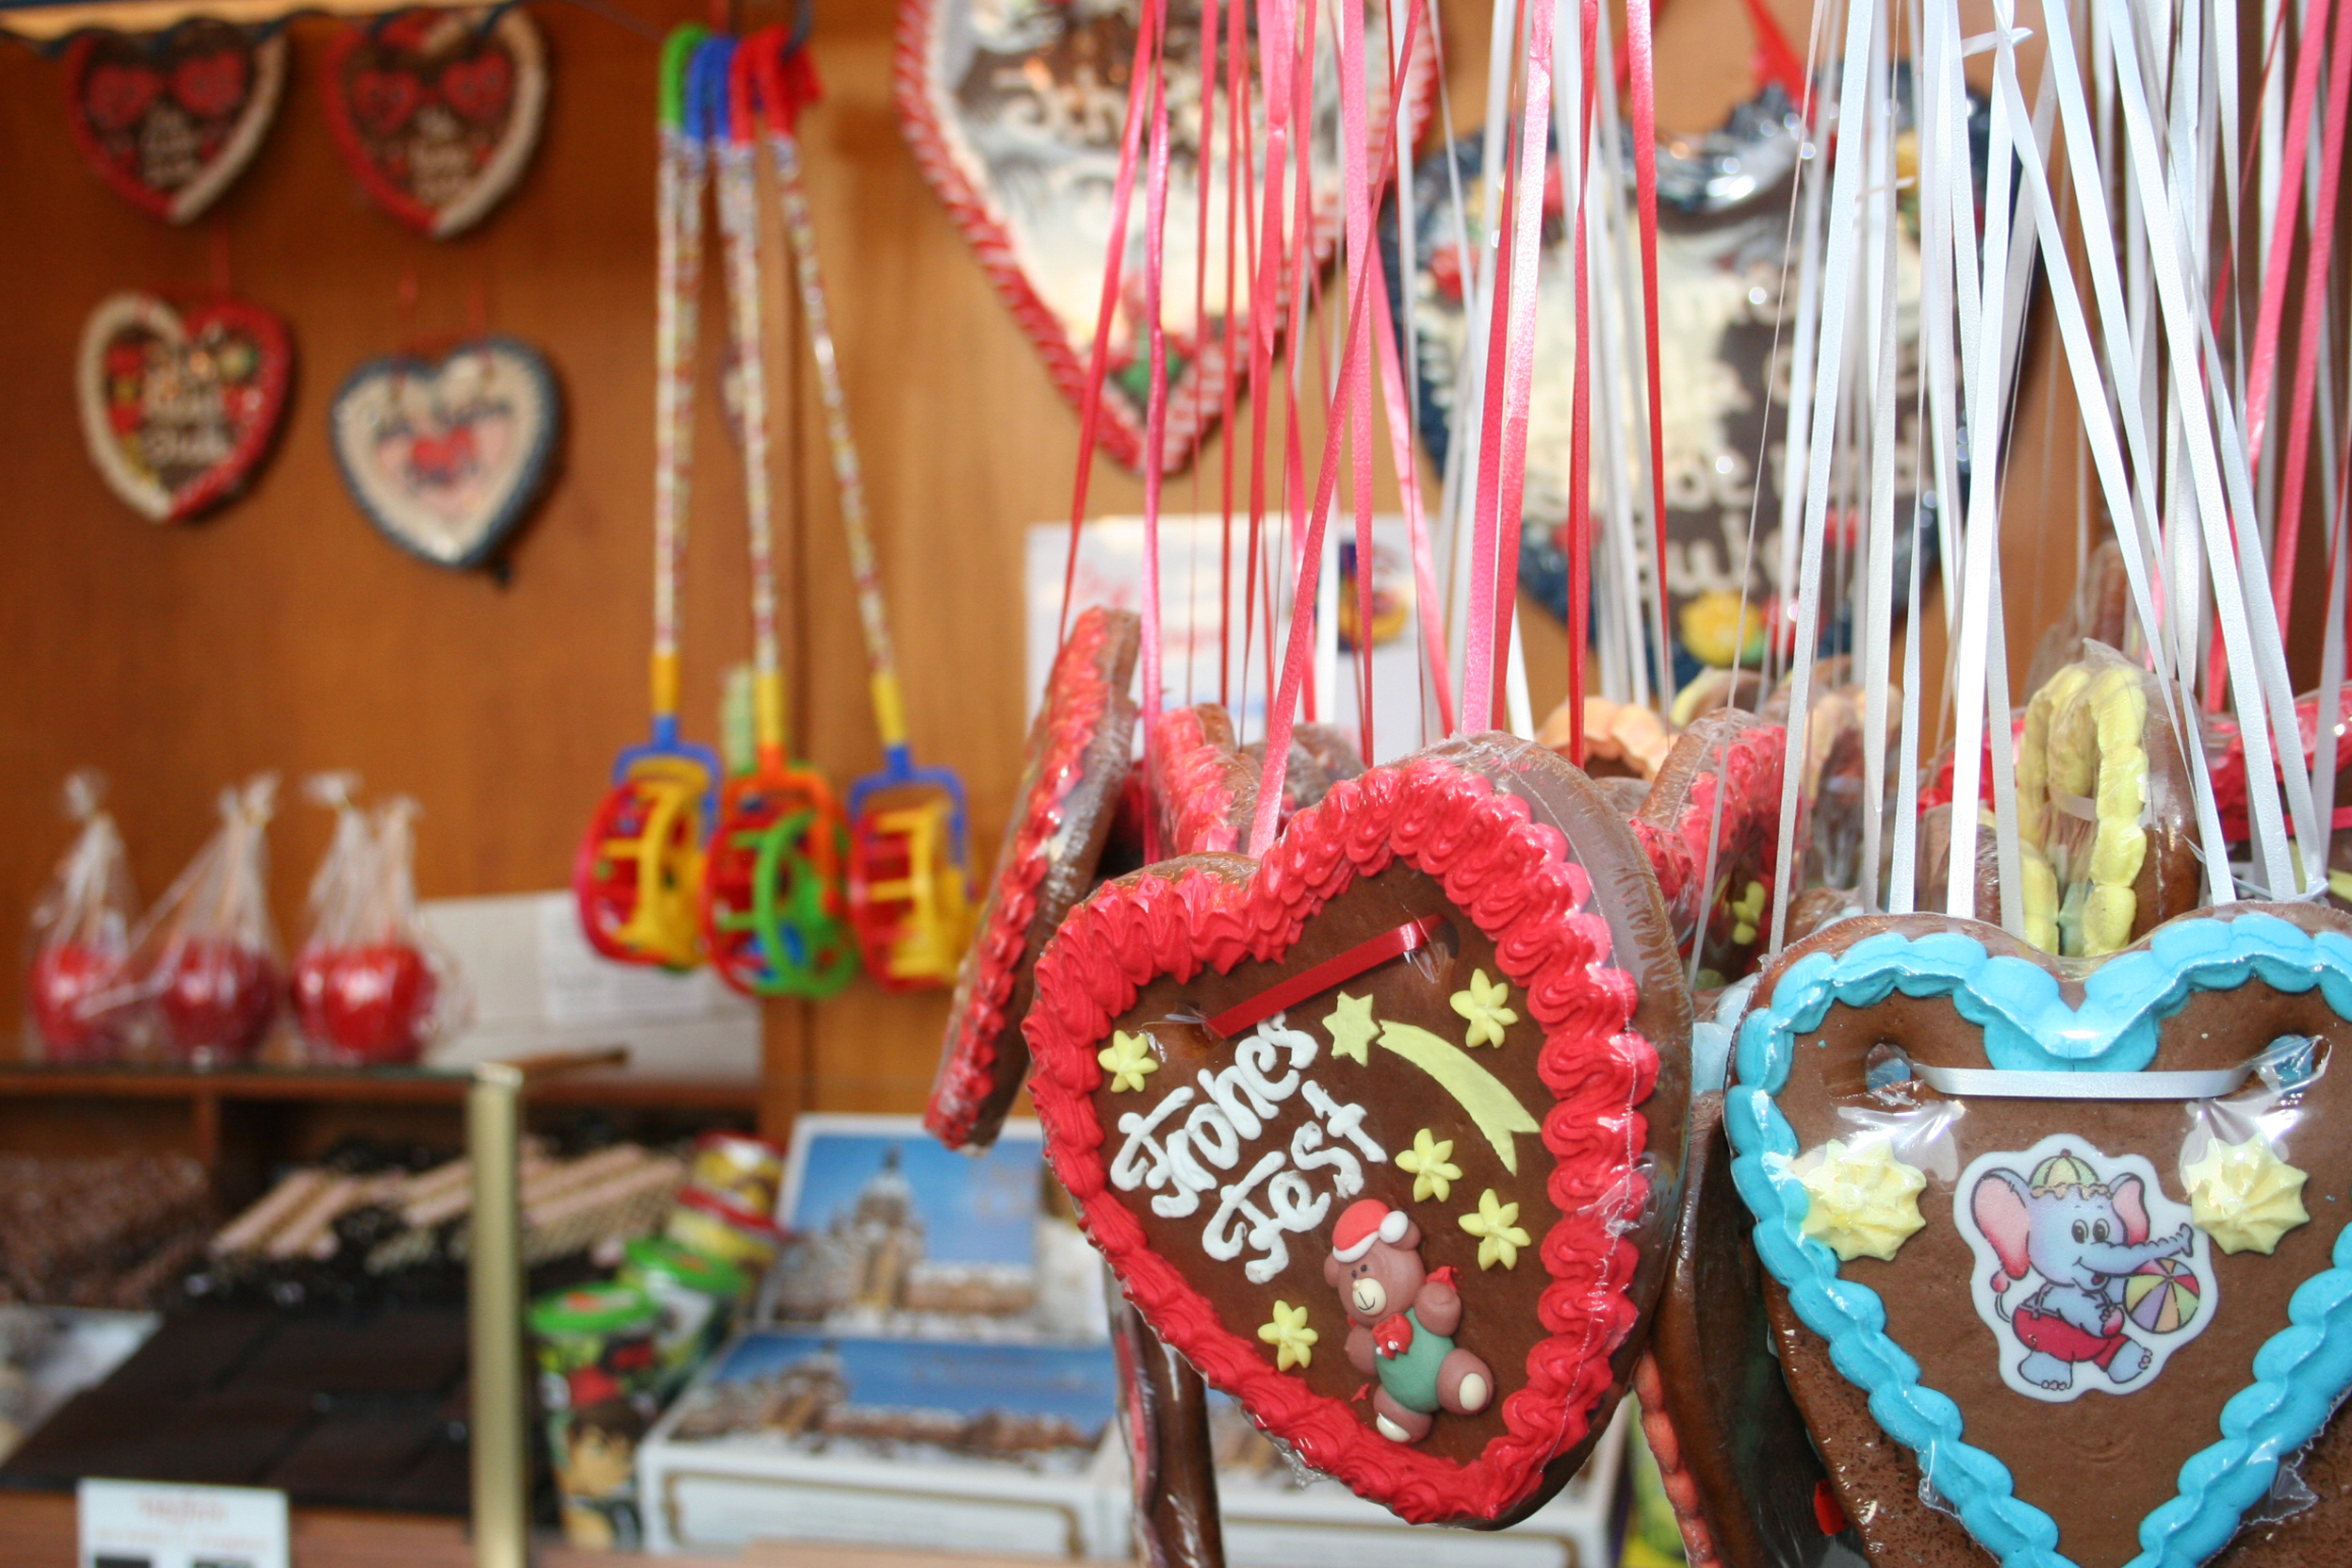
(1078, 699)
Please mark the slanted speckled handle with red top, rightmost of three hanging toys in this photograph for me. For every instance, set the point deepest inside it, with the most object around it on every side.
(789, 83)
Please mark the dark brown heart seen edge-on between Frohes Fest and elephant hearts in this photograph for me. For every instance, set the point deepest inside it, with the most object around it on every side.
(1739, 1435)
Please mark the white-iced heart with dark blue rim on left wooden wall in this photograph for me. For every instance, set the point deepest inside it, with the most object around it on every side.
(448, 455)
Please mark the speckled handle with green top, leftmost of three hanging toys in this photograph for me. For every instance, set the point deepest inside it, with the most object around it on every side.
(681, 262)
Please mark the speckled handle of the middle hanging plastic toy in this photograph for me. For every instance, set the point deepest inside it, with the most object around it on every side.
(723, 76)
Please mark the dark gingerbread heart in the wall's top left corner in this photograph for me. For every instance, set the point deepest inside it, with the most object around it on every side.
(173, 119)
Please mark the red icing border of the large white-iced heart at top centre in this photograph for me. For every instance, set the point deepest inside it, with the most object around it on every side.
(1196, 401)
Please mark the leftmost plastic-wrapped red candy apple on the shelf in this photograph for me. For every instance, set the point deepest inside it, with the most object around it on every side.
(83, 937)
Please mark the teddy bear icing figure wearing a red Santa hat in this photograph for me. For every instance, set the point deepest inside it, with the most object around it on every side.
(1403, 1322)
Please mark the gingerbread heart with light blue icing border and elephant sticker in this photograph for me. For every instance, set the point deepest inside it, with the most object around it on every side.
(2094, 1433)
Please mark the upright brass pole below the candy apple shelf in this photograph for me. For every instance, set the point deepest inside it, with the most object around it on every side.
(502, 1527)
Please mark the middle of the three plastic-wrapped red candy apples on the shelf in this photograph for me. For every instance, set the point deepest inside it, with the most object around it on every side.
(208, 958)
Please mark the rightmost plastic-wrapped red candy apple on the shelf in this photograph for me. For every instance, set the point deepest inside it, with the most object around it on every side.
(373, 989)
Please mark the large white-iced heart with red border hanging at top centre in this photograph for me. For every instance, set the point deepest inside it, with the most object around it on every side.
(1015, 119)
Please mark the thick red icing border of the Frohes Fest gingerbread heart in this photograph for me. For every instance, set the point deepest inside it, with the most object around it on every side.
(1518, 880)
